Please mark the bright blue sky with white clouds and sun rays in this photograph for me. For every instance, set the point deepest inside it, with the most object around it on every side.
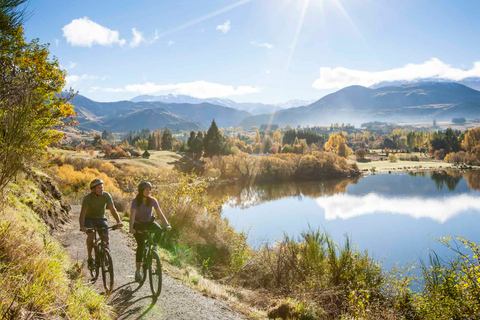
(266, 51)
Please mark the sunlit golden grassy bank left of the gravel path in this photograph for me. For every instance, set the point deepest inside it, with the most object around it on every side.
(37, 279)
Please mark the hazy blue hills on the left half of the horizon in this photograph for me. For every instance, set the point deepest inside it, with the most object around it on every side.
(127, 115)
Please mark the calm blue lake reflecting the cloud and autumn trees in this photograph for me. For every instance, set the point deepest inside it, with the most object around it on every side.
(393, 216)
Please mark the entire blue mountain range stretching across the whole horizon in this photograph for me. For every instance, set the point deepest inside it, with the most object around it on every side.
(410, 102)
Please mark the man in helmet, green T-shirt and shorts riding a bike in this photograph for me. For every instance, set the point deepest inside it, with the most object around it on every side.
(92, 214)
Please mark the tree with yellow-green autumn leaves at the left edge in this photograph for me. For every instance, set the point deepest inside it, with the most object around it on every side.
(31, 107)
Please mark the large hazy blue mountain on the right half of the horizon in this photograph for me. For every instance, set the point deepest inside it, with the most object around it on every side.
(400, 103)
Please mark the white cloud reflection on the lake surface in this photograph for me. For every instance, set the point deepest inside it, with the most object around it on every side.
(347, 206)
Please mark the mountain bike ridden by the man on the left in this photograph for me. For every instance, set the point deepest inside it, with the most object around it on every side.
(102, 260)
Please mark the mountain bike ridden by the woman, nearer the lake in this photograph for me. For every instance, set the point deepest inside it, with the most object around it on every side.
(151, 263)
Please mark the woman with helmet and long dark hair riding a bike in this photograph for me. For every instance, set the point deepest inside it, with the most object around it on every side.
(142, 218)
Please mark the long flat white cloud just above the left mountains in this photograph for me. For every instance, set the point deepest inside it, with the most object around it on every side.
(197, 89)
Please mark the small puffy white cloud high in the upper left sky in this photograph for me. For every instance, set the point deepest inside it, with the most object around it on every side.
(85, 33)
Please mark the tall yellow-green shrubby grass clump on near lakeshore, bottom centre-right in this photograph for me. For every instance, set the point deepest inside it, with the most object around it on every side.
(313, 269)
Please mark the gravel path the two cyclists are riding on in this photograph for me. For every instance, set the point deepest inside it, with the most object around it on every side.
(133, 302)
